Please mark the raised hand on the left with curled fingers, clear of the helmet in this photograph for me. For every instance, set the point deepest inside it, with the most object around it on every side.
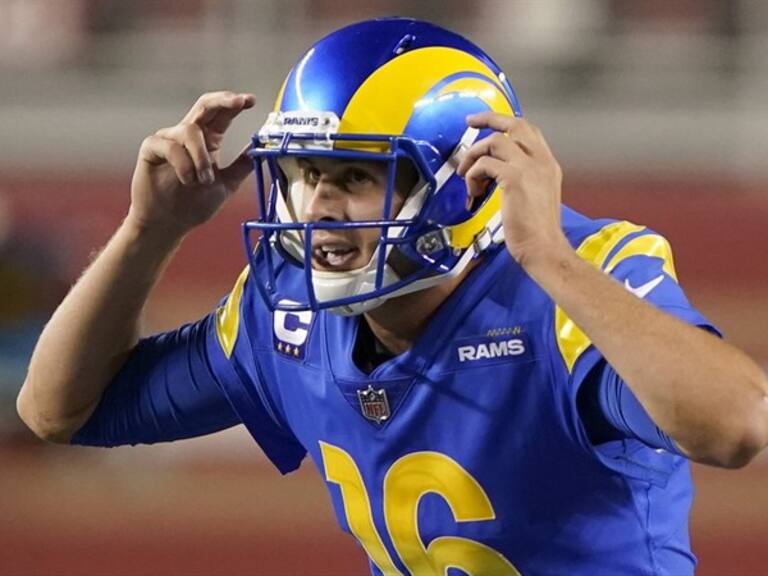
(178, 183)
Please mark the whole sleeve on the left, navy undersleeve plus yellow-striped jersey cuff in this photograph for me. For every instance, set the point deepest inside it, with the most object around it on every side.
(193, 381)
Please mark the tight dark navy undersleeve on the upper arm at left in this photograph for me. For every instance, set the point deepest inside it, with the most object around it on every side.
(165, 391)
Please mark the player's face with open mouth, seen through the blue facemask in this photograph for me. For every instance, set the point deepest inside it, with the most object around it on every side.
(337, 190)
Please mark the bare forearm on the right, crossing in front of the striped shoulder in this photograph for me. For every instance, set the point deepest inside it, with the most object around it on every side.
(707, 395)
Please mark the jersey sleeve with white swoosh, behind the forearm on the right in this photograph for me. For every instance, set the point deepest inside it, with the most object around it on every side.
(642, 262)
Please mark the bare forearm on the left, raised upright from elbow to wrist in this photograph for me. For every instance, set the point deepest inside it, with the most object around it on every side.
(91, 333)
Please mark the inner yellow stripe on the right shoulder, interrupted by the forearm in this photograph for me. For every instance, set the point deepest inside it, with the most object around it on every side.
(571, 341)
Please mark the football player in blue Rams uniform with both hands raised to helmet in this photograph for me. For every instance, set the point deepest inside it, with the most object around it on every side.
(488, 381)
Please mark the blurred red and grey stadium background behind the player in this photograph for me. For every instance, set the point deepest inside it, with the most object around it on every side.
(656, 110)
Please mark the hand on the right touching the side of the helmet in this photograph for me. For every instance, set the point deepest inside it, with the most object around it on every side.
(518, 159)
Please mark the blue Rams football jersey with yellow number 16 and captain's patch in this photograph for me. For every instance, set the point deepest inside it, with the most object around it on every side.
(467, 453)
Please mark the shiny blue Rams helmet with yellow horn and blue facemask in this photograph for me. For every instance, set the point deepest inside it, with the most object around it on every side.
(387, 90)
